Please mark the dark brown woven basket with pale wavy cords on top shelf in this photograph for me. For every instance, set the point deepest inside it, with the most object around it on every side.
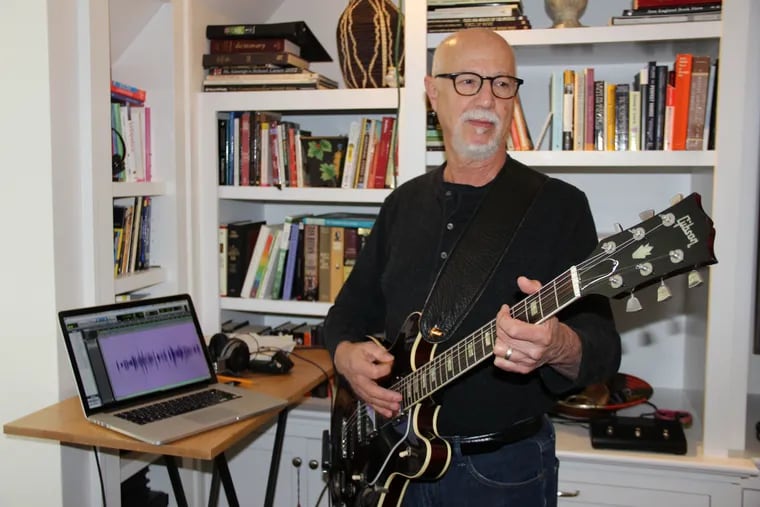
(366, 38)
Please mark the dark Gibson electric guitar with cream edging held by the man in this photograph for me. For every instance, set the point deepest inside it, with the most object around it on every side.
(372, 458)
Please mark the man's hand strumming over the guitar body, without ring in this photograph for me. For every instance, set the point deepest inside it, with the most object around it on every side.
(362, 364)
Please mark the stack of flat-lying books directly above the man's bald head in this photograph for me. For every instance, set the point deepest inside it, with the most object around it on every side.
(453, 15)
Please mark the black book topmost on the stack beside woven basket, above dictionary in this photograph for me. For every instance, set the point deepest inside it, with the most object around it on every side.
(295, 31)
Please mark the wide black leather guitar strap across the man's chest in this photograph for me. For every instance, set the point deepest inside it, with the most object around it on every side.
(479, 250)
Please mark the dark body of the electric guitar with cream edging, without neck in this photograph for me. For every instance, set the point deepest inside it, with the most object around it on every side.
(372, 457)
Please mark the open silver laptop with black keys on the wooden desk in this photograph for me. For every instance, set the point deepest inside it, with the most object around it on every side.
(143, 369)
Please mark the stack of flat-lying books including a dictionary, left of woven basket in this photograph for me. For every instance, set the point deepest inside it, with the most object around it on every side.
(263, 56)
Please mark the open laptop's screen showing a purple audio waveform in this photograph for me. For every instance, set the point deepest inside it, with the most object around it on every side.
(123, 352)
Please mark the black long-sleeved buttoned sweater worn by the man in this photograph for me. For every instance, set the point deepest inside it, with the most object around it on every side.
(415, 230)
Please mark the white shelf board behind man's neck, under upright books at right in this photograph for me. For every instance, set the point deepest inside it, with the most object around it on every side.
(668, 161)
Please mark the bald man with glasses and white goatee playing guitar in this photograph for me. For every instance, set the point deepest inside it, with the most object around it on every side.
(502, 443)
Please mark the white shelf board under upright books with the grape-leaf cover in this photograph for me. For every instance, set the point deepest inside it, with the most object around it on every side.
(320, 195)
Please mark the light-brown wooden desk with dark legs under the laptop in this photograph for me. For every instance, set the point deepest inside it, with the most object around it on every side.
(65, 423)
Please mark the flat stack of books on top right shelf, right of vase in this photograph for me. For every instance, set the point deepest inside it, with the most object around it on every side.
(669, 11)
